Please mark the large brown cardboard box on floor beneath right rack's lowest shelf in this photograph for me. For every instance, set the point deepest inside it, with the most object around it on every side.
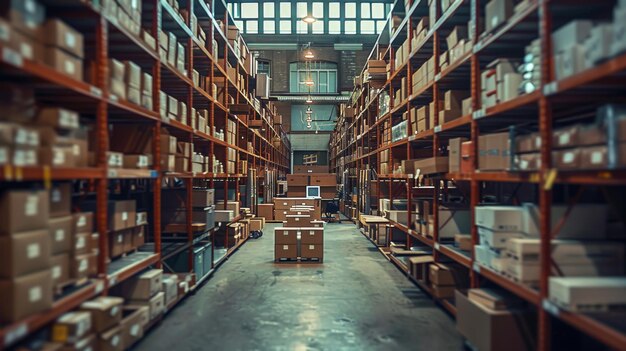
(488, 329)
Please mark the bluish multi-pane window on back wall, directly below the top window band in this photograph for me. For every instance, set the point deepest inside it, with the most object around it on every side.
(323, 75)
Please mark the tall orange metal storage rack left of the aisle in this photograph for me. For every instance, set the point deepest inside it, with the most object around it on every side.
(106, 37)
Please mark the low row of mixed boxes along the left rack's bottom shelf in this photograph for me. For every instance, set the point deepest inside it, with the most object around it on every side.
(118, 321)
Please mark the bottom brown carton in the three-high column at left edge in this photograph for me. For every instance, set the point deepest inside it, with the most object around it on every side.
(25, 295)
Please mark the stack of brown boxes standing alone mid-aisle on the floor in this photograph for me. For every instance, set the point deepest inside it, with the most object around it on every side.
(302, 234)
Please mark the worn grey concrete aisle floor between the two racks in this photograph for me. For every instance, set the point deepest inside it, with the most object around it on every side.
(355, 300)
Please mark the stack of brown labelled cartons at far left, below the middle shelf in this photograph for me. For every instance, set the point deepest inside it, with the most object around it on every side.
(44, 247)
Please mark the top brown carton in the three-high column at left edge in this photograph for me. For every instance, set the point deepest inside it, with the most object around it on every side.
(23, 210)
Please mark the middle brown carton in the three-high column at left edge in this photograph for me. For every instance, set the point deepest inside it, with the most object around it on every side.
(24, 253)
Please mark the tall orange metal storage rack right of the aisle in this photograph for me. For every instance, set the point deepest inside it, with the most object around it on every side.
(358, 141)
